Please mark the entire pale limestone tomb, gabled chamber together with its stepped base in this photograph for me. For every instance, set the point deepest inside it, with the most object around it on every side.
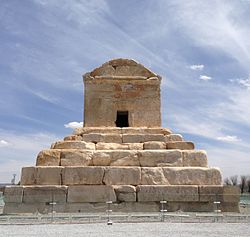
(121, 155)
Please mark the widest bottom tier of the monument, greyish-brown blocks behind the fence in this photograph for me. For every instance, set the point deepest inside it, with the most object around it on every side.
(99, 198)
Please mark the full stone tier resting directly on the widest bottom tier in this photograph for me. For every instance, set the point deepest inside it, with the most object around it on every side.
(92, 175)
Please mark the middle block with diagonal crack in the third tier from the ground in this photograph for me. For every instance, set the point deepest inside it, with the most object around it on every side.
(115, 158)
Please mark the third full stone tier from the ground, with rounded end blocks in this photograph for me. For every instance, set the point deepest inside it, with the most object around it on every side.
(143, 158)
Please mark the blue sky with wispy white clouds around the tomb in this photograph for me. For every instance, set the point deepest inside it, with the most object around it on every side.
(200, 48)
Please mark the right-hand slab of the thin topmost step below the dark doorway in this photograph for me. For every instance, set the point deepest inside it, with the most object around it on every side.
(145, 130)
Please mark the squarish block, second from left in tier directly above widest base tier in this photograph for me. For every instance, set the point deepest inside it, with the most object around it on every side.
(48, 175)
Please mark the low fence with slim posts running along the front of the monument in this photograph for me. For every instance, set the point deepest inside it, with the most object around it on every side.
(109, 216)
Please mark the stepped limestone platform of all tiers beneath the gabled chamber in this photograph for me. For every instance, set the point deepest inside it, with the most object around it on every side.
(88, 168)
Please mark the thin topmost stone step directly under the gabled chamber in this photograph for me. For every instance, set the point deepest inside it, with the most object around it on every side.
(125, 130)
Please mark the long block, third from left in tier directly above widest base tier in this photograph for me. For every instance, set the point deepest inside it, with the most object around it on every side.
(82, 175)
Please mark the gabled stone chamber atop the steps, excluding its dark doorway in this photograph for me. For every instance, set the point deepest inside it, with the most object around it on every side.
(119, 87)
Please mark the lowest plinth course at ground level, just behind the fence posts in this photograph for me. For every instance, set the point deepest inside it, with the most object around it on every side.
(17, 208)
